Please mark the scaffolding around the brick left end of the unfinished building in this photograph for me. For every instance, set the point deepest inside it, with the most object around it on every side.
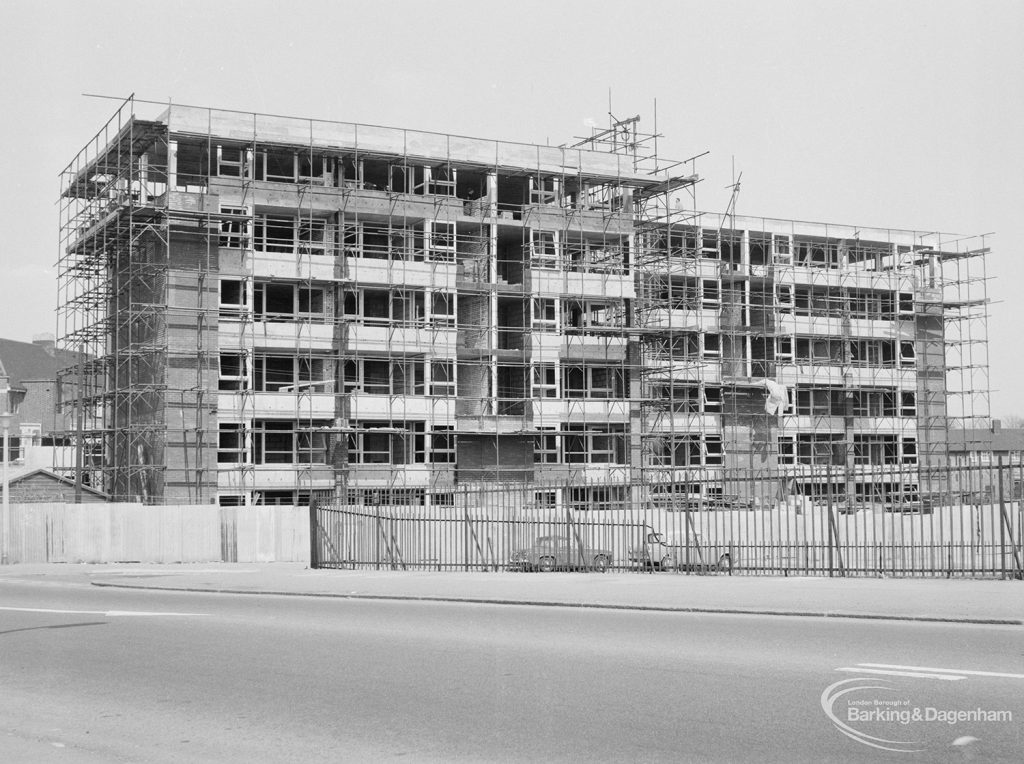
(127, 260)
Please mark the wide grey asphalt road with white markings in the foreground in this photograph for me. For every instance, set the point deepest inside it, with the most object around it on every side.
(107, 675)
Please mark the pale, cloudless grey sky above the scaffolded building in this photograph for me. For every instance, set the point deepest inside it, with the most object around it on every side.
(907, 115)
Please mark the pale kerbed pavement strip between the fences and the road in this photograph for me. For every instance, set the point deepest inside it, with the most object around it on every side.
(948, 601)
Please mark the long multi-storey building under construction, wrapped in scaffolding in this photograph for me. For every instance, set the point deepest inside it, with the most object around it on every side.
(271, 310)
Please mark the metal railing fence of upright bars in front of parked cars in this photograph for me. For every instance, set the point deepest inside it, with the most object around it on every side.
(956, 522)
